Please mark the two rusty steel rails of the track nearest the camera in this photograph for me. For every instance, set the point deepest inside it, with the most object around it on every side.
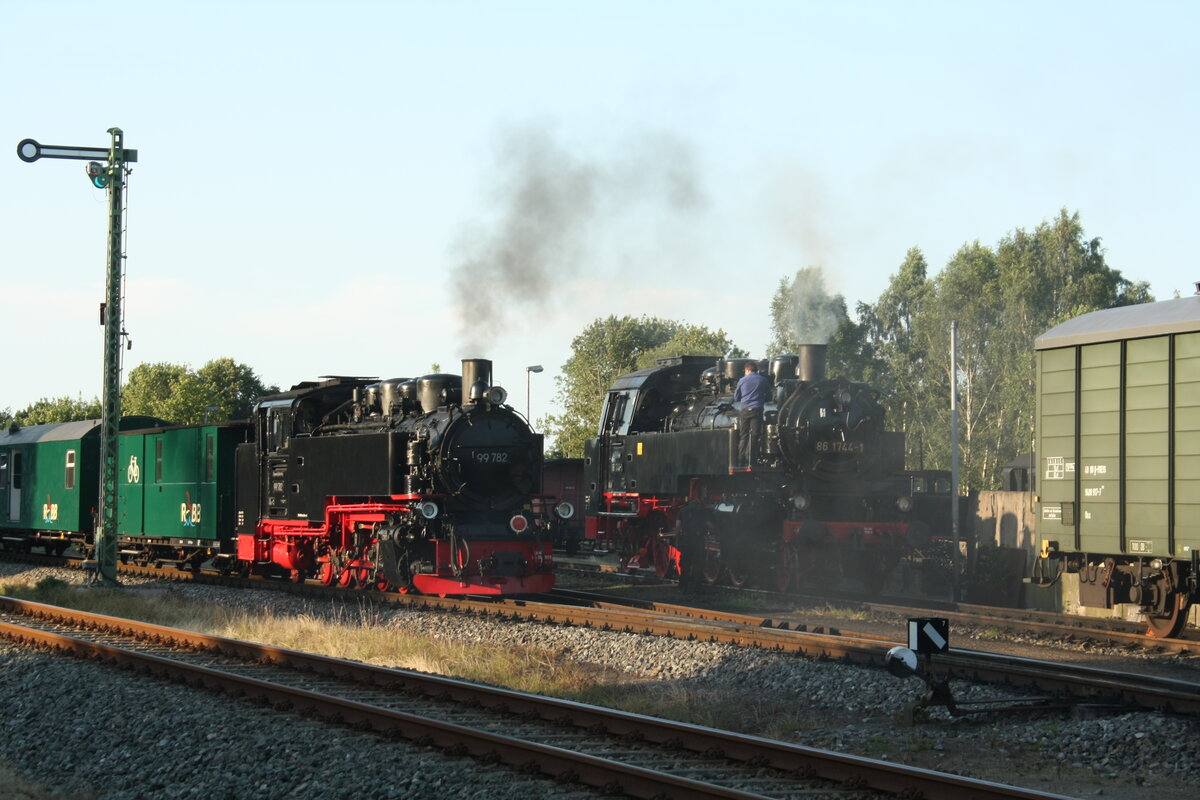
(803, 762)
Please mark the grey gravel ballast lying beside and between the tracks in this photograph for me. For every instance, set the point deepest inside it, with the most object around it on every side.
(145, 738)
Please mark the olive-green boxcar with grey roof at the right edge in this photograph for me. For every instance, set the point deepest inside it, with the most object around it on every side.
(1119, 456)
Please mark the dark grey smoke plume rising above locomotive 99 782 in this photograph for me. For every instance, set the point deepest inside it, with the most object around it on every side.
(554, 210)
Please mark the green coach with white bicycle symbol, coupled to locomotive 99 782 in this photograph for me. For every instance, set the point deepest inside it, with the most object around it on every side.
(177, 485)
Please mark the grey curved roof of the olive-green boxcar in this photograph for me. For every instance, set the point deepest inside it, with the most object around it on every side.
(1181, 316)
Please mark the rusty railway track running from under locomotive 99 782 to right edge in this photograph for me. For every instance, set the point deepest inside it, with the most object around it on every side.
(1064, 683)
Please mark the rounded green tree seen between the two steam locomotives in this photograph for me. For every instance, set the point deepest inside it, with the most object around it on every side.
(609, 348)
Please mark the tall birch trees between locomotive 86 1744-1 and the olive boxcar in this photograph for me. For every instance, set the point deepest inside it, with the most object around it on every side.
(1001, 299)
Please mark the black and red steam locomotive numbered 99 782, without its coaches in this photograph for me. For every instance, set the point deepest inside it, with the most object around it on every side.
(411, 484)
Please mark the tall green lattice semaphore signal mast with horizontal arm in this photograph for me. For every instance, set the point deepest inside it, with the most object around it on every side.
(112, 179)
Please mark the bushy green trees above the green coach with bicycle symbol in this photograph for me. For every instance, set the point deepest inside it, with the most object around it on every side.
(177, 394)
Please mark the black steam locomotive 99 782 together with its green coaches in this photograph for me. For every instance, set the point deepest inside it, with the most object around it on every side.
(424, 484)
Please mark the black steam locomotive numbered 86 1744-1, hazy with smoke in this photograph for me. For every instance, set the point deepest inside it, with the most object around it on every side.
(826, 500)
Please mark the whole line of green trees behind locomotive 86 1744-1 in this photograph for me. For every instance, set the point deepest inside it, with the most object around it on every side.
(1001, 299)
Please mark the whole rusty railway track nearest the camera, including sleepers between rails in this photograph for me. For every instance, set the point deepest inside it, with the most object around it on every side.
(615, 753)
